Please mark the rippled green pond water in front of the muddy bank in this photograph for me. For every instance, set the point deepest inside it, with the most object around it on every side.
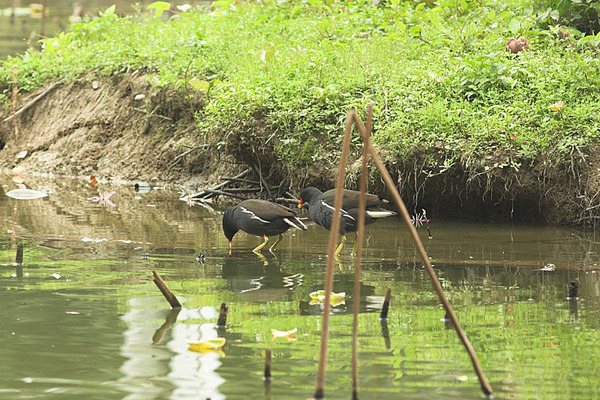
(82, 318)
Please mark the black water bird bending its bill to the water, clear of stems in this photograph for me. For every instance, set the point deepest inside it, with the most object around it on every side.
(259, 218)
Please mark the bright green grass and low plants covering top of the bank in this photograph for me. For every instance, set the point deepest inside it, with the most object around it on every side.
(441, 80)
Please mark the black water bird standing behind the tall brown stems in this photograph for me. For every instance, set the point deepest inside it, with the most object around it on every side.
(321, 208)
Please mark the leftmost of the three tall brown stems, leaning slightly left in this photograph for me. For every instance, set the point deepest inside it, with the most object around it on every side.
(333, 233)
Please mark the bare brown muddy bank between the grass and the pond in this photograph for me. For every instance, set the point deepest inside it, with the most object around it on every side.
(128, 130)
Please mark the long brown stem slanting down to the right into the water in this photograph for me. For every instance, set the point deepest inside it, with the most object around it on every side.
(485, 386)
